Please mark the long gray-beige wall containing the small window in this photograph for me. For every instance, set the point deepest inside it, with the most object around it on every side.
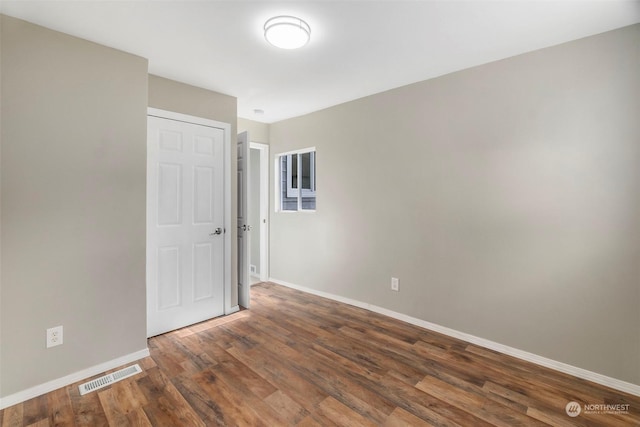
(506, 199)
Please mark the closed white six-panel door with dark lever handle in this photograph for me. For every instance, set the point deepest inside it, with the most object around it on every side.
(185, 224)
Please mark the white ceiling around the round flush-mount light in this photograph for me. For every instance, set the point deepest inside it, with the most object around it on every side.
(357, 48)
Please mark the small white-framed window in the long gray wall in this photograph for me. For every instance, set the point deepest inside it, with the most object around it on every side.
(296, 180)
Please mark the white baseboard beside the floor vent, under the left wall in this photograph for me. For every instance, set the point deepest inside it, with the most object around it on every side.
(21, 396)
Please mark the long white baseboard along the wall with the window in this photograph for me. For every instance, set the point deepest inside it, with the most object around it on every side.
(520, 354)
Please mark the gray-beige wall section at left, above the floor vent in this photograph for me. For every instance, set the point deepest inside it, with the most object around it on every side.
(73, 204)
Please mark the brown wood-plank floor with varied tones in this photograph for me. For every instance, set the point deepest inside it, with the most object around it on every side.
(297, 359)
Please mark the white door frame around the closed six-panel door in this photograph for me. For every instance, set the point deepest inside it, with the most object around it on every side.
(171, 115)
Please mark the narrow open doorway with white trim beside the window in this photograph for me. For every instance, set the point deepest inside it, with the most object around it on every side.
(259, 212)
